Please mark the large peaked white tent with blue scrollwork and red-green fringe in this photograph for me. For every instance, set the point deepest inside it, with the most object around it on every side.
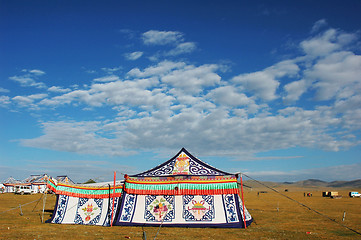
(183, 191)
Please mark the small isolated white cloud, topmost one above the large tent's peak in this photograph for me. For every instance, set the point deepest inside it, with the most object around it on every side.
(154, 37)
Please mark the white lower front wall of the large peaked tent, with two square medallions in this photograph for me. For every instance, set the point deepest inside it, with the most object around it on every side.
(181, 210)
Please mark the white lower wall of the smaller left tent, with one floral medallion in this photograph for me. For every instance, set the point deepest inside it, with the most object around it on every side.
(90, 211)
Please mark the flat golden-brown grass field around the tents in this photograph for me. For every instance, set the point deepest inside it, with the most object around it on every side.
(275, 217)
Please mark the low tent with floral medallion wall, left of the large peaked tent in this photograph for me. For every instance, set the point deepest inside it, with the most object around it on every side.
(84, 204)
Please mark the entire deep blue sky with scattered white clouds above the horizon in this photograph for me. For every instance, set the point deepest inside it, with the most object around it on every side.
(268, 88)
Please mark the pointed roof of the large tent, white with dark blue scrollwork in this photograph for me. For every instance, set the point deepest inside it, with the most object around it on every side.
(183, 163)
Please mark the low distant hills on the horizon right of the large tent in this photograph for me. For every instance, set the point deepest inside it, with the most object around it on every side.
(308, 183)
